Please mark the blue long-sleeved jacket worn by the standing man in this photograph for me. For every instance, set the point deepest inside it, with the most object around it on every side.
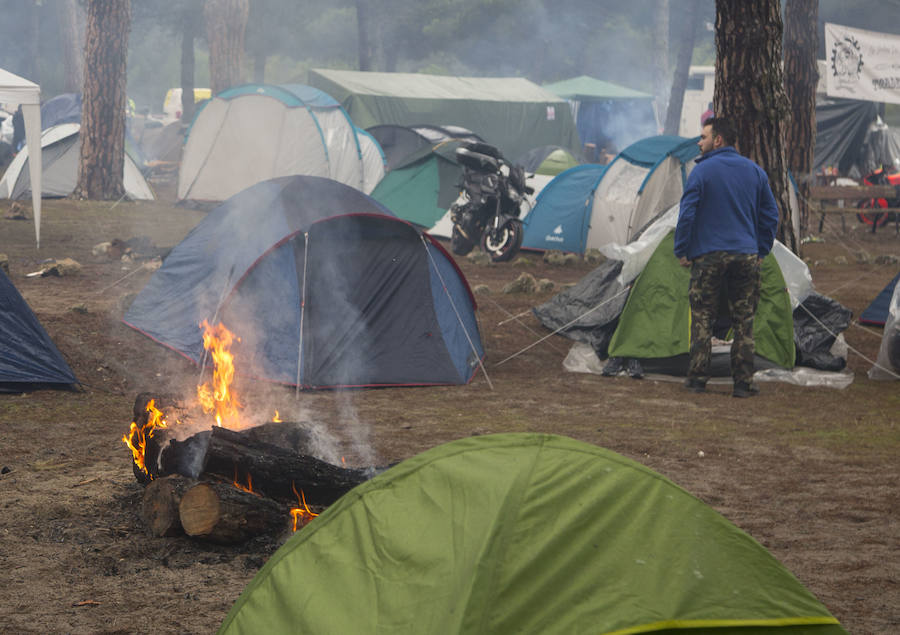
(727, 205)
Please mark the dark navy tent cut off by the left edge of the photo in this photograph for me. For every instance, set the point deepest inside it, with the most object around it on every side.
(28, 357)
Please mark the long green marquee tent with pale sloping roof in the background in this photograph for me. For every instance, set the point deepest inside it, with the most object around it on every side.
(511, 113)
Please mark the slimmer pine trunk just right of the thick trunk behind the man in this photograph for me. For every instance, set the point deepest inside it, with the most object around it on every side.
(801, 76)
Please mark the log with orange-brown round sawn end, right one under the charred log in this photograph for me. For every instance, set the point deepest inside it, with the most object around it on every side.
(224, 514)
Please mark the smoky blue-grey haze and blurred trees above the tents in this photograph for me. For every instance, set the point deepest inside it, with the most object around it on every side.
(634, 43)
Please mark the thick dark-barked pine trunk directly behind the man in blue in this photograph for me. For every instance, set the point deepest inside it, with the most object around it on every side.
(750, 91)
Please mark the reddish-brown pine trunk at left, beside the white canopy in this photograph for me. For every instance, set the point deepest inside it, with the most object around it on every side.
(102, 133)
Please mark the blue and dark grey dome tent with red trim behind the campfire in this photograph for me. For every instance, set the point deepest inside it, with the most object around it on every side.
(324, 287)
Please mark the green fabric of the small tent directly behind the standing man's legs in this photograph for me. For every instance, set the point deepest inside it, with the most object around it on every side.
(655, 322)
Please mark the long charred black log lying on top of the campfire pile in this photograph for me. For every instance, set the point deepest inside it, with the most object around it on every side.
(276, 472)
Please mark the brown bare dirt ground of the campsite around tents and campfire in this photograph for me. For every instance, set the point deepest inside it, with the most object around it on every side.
(812, 473)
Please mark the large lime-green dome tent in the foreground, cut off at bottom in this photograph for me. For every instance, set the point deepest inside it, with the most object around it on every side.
(523, 533)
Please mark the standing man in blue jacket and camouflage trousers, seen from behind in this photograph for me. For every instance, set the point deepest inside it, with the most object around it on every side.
(726, 226)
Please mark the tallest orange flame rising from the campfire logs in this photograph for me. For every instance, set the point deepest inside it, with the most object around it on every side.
(218, 398)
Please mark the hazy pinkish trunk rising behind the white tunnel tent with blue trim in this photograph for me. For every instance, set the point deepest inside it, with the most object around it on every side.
(226, 23)
